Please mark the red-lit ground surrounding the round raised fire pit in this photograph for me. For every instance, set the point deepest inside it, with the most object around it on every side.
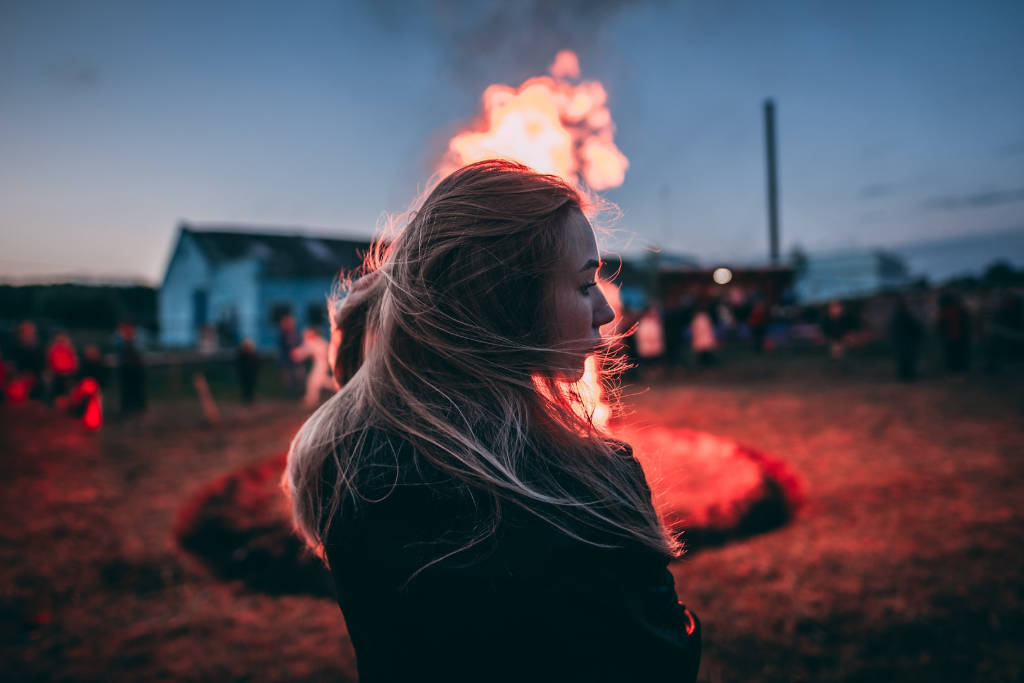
(906, 563)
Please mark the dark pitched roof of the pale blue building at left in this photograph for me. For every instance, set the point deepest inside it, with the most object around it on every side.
(283, 255)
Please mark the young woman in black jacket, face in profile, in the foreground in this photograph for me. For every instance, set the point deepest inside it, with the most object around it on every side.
(478, 526)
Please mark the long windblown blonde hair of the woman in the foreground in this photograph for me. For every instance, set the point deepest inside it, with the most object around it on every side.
(453, 350)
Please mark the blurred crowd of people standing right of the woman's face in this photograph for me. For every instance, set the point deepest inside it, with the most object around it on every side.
(692, 331)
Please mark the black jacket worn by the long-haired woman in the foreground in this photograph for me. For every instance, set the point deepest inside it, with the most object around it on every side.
(530, 604)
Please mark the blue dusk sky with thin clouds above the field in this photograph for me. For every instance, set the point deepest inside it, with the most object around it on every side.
(898, 121)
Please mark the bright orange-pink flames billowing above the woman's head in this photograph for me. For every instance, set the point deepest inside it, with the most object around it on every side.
(550, 124)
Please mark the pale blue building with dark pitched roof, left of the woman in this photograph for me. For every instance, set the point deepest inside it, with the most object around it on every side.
(240, 283)
